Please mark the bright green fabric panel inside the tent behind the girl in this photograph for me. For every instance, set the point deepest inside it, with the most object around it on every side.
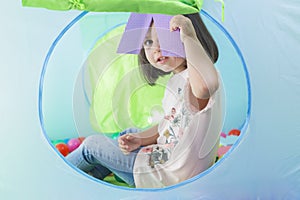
(120, 97)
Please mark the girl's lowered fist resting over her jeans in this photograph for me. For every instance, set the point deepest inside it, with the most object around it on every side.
(129, 142)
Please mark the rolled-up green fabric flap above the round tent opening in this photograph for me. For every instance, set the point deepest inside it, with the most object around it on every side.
(140, 6)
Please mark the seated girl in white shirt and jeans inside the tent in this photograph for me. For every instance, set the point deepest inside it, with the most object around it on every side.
(185, 142)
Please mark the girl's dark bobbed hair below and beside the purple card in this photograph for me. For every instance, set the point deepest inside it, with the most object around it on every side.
(151, 74)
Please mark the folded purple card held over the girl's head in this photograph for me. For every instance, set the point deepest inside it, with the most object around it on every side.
(136, 30)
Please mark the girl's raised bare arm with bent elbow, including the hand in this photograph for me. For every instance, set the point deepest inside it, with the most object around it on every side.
(203, 76)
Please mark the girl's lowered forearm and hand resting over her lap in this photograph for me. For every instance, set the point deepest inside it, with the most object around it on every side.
(130, 142)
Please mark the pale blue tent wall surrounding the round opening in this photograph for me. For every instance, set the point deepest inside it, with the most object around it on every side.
(264, 165)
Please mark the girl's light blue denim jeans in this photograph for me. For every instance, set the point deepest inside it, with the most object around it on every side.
(99, 155)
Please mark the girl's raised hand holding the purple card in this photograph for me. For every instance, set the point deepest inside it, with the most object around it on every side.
(185, 26)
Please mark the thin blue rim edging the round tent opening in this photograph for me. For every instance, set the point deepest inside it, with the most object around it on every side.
(195, 178)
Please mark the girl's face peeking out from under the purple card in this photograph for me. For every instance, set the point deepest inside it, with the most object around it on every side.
(155, 58)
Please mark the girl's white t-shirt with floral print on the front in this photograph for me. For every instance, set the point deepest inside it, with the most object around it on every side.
(188, 139)
